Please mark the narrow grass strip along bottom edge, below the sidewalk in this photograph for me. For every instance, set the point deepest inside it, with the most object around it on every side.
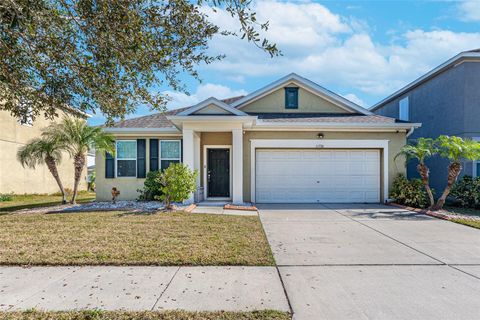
(148, 315)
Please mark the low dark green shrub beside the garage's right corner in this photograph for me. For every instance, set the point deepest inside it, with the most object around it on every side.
(409, 192)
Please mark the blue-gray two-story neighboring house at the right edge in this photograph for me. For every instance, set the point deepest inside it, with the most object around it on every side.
(446, 101)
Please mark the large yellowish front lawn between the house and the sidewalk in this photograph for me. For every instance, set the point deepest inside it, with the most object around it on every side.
(115, 238)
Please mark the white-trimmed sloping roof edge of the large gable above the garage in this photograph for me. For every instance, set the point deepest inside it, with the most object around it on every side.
(306, 84)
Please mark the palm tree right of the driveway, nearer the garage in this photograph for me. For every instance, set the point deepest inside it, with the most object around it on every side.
(422, 149)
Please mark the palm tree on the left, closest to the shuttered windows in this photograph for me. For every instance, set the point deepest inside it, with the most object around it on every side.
(78, 138)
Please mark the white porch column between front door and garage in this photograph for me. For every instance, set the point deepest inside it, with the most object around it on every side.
(237, 175)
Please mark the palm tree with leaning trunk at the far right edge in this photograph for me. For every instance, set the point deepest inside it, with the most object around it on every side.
(455, 149)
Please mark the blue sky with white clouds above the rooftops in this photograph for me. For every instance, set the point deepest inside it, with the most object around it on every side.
(363, 50)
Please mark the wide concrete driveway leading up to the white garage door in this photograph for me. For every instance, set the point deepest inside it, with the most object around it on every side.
(362, 261)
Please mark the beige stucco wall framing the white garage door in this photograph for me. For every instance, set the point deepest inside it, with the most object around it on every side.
(396, 141)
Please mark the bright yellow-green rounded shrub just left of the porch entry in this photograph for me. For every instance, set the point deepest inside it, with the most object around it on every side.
(177, 182)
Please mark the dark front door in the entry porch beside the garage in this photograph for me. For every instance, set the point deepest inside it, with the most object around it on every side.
(218, 172)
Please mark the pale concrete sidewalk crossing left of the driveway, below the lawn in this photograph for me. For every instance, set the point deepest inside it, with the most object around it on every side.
(141, 288)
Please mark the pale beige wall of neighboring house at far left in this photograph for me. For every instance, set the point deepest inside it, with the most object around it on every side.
(13, 177)
